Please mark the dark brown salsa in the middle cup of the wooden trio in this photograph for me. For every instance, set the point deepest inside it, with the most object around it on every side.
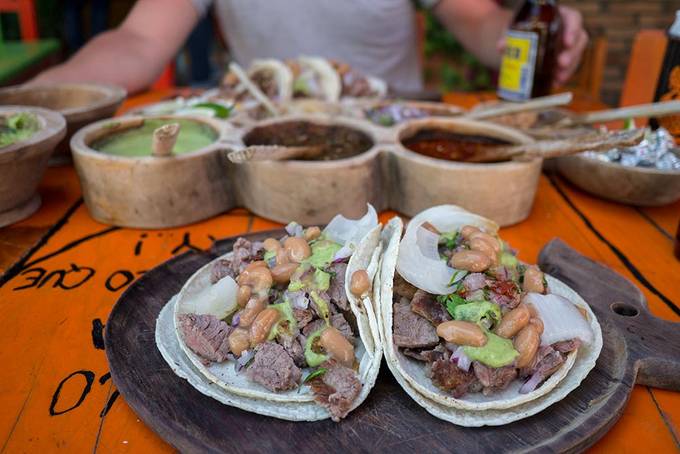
(338, 142)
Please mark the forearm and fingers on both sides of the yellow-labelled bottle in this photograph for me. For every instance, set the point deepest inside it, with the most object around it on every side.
(480, 26)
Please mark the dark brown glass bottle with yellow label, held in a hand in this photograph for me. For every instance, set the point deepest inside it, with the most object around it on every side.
(531, 50)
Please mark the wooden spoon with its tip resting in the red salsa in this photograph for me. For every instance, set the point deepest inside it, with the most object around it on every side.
(554, 148)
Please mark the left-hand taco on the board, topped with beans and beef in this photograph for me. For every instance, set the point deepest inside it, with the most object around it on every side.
(284, 327)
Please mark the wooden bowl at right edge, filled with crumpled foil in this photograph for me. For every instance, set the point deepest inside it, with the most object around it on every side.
(630, 185)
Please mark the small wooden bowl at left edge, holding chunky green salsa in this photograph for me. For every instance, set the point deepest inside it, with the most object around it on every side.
(23, 164)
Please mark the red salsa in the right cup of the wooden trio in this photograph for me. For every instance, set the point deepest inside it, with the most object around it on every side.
(452, 146)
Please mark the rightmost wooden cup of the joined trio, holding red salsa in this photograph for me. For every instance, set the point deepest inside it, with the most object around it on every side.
(502, 191)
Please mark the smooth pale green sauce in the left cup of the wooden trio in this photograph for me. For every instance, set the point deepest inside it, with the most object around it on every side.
(193, 135)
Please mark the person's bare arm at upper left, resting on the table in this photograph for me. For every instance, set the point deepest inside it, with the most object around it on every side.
(134, 54)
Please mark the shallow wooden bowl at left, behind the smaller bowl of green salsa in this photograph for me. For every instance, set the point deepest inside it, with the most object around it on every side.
(80, 104)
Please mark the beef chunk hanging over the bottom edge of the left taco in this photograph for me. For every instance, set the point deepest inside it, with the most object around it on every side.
(336, 390)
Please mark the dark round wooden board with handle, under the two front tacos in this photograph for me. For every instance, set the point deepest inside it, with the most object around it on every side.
(638, 348)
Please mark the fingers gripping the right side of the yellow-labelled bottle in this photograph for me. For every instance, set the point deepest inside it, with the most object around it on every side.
(574, 41)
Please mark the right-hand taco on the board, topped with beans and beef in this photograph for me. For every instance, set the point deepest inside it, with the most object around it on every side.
(469, 328)
